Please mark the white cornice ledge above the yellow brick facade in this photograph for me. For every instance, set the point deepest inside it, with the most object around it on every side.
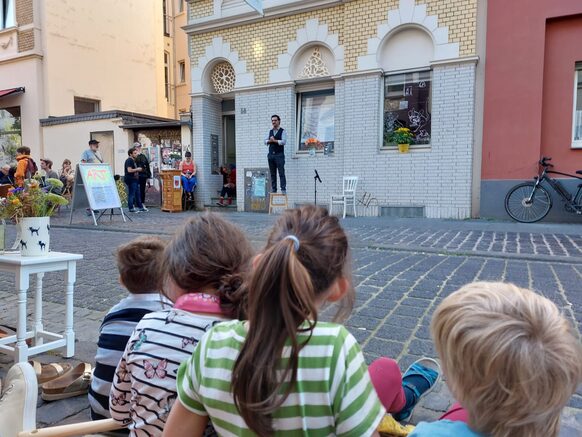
(242, 15)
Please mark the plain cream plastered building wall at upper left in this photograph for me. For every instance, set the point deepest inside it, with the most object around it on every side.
(92, 53)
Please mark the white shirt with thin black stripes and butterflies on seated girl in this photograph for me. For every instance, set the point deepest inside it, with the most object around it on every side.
(144, 386)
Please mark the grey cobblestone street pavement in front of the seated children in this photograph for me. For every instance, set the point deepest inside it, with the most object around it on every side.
(403, 269)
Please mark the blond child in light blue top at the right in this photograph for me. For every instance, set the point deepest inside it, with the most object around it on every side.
(510, 358)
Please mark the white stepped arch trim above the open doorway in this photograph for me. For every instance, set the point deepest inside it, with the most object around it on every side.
(214, 53)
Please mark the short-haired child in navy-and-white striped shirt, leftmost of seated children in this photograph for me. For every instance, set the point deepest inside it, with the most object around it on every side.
(139, 271)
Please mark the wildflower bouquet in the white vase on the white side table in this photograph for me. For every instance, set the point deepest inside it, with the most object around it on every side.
(32, 200)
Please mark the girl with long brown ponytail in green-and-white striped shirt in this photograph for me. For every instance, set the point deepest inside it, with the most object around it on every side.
(284, 372)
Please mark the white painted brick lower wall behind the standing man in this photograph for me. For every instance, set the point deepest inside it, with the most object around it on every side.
(438, 178)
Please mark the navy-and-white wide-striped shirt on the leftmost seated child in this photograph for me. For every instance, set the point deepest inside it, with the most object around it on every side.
(117, 327)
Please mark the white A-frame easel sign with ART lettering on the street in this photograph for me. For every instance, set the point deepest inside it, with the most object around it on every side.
(95, 189)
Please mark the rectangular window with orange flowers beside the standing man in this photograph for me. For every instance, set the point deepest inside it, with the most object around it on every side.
(316, 120)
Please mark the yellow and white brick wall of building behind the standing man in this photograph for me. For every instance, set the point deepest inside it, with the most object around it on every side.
(437, 177)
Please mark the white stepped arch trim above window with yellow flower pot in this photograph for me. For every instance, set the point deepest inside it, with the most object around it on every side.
(409, 14)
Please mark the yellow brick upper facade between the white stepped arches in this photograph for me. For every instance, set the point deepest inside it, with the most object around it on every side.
(355, 22)
